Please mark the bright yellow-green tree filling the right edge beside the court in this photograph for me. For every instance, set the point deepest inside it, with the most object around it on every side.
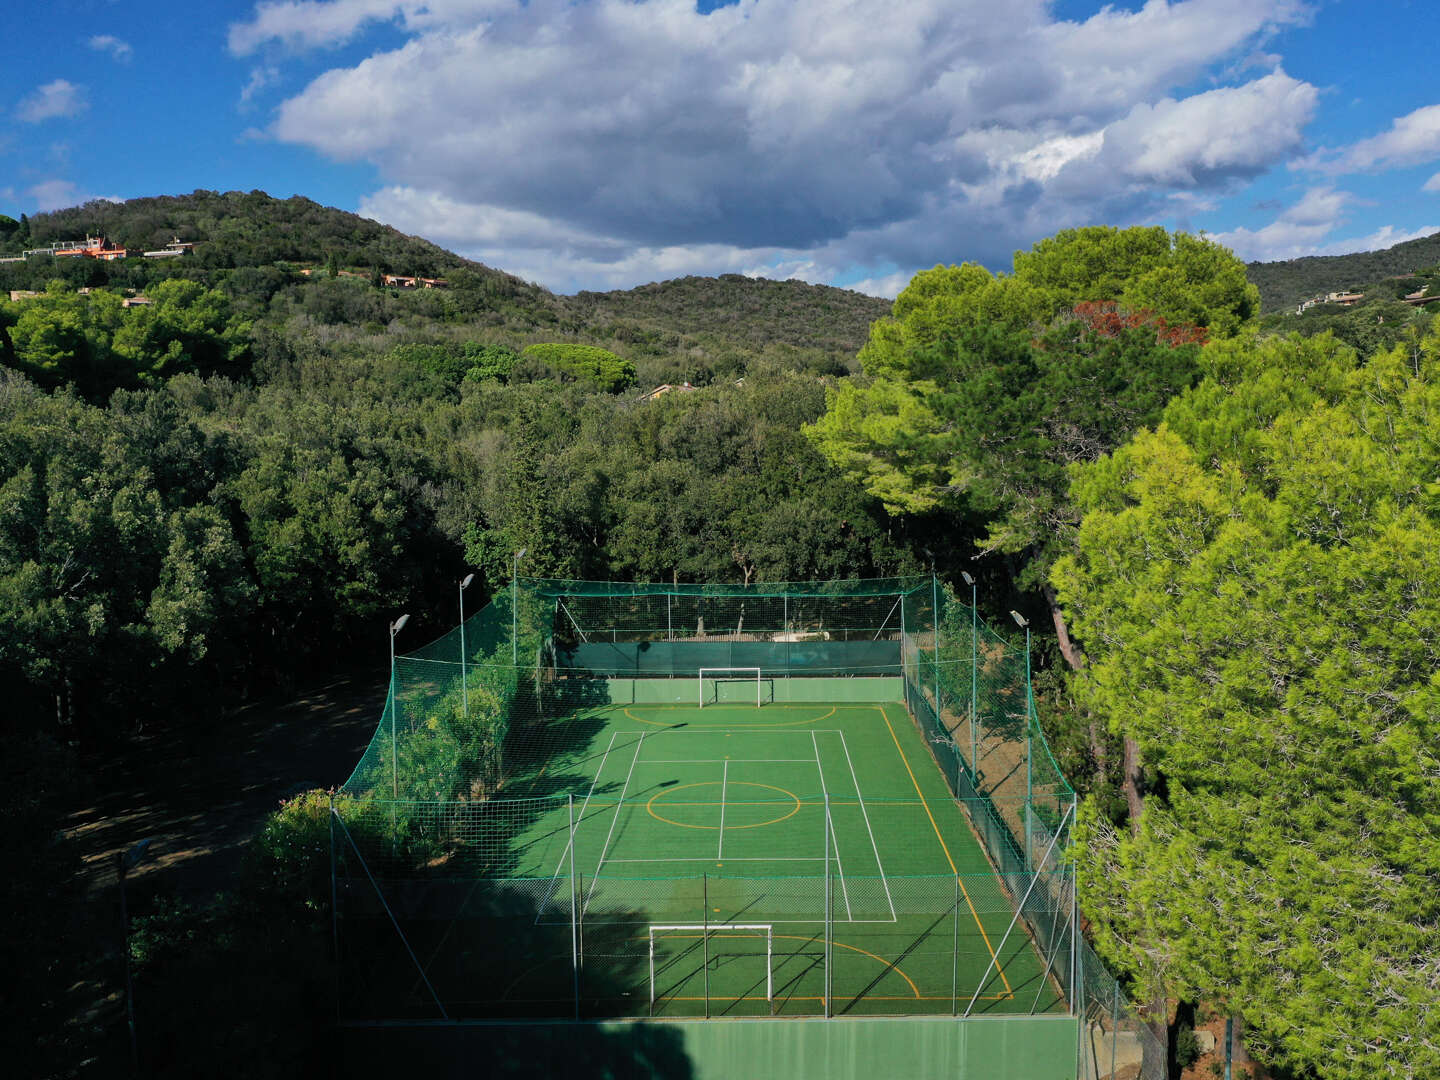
(1258, 591)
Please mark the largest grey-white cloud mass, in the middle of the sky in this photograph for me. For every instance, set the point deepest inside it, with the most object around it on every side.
(817, 138)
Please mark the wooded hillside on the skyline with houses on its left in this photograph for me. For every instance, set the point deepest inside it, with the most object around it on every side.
(257, 248)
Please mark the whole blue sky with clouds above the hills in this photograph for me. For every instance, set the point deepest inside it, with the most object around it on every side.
(594, 145)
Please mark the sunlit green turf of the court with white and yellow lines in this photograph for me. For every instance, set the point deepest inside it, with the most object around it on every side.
(725, 837)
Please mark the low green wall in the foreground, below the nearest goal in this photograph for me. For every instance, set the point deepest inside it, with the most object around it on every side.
(869, 1049)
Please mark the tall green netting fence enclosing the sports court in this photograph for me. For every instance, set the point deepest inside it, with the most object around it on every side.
(457, 885)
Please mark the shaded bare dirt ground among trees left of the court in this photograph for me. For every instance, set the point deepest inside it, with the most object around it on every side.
(198, 797)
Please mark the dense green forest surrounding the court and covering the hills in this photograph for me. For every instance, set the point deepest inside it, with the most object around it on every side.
(237, 483)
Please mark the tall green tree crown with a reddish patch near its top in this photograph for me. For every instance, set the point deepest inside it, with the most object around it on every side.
(981, 390)
